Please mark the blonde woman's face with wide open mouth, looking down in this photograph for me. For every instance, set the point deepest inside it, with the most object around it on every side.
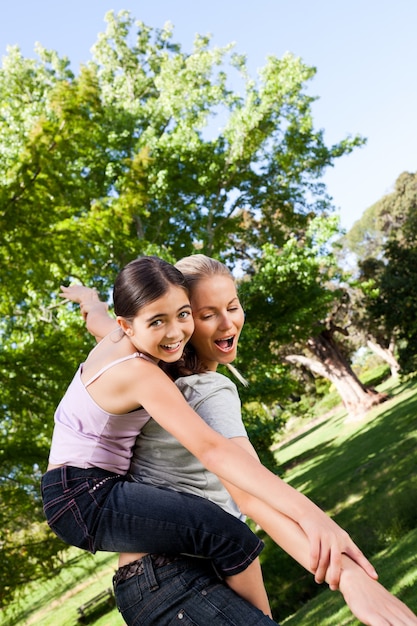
(218, 319)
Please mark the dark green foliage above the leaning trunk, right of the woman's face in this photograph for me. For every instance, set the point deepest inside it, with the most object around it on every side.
(286, 300)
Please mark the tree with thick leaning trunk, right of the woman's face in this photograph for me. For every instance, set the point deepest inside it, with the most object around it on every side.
(298, 285)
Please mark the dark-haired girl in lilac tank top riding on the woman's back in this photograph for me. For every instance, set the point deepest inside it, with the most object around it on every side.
(87, 500)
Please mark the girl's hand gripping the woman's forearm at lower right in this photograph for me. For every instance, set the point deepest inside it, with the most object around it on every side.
(328, 542)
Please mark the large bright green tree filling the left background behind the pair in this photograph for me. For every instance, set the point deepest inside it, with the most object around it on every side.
(117, 161)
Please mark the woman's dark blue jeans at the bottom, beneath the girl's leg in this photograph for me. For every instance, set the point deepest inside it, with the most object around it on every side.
(186, 592)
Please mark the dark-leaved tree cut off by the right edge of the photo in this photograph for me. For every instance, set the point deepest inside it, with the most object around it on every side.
(385, 277)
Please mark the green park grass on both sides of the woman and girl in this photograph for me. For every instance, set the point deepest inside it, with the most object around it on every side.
(362, 473)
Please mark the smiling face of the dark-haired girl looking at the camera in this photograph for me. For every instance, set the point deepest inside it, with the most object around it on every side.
(162, 328)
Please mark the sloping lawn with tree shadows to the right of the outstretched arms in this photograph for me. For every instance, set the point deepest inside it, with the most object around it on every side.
(364, 474)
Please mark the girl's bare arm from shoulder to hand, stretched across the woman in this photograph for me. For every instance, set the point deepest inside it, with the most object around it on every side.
(235, 465)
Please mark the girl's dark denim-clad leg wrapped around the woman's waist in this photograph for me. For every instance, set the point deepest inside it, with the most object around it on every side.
(140, 518)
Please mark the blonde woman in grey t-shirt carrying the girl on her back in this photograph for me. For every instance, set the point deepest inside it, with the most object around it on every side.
(158, 459)
